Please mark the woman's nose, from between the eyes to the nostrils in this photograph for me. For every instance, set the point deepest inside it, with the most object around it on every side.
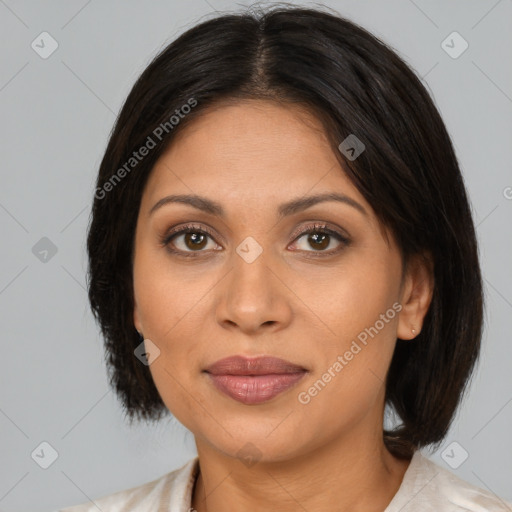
(254, 297)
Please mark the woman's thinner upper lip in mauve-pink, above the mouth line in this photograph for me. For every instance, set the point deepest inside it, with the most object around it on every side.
(241, 365)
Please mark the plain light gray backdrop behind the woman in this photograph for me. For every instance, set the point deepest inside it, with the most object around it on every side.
(56, 115)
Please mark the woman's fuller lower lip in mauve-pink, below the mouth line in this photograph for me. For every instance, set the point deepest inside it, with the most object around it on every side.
(255, 389)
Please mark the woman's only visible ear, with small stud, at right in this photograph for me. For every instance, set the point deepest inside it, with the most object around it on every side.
(416, 295)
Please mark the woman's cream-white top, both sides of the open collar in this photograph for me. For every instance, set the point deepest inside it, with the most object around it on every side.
(426, 487)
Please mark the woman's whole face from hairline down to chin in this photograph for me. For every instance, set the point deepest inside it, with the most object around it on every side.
(246, 282)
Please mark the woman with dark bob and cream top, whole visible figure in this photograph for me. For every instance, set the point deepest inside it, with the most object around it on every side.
(281, 251)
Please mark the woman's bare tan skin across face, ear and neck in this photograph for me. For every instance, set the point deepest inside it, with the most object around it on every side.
(327, 454)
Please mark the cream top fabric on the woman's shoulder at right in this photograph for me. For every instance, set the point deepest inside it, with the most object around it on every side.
(429, 487)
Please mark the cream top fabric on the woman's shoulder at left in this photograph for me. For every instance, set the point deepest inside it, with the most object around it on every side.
(169, 492)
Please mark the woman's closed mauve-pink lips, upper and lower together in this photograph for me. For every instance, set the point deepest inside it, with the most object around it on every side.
(254, 380)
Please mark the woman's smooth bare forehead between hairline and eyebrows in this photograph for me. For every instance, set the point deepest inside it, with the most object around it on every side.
(251, 151)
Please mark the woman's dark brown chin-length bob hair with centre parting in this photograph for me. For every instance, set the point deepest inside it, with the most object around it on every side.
(354, 84)
